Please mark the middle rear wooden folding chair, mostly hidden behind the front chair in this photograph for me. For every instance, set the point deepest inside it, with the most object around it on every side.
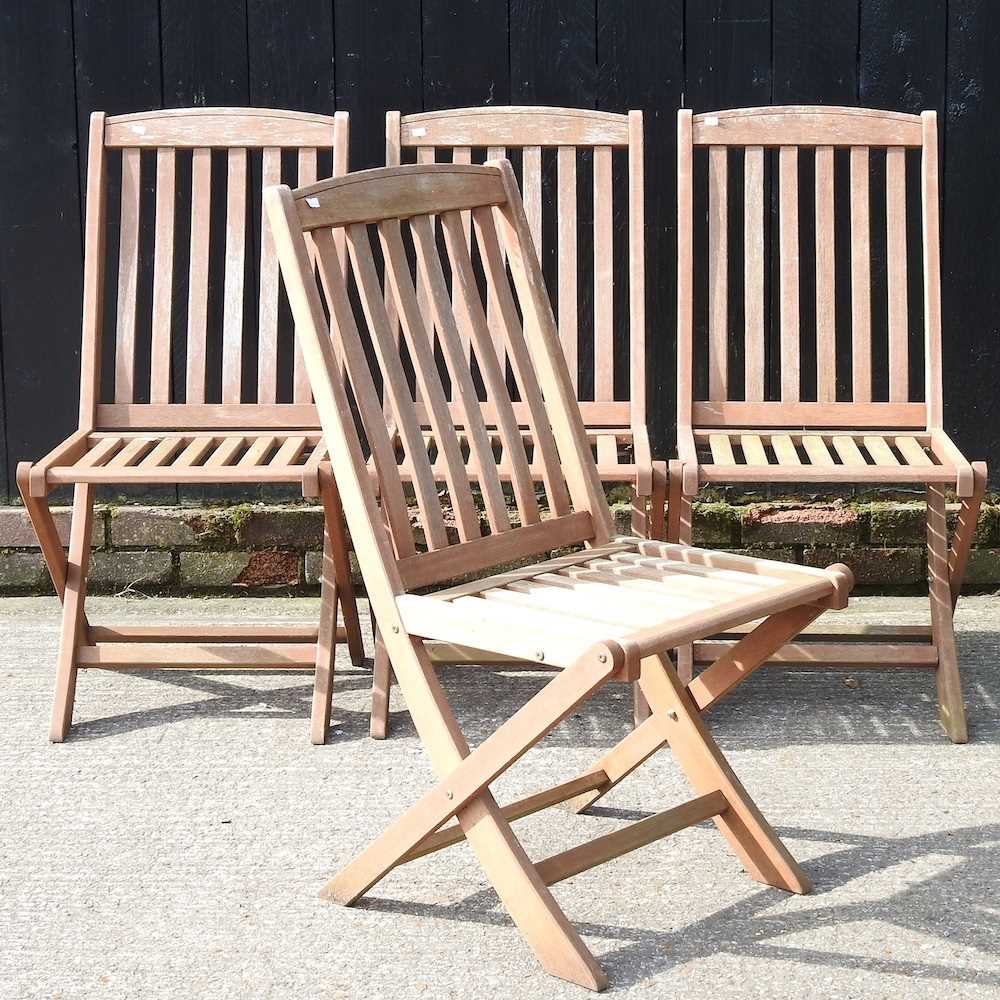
(604, 152)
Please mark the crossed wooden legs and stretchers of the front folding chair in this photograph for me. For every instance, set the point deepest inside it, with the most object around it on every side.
(463, 793)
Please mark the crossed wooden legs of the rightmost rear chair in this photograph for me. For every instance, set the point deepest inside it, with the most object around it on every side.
(947, 562)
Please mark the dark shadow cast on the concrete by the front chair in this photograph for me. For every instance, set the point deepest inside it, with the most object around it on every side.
(754, 926)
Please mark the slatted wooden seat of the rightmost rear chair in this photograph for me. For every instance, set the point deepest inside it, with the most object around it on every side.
(828, 455)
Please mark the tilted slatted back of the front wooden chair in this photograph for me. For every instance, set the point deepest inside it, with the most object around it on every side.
(418, 212)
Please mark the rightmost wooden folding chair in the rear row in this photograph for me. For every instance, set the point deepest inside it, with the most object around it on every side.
(795, 406)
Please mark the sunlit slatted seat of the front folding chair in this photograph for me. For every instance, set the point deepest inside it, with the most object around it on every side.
(653, 594)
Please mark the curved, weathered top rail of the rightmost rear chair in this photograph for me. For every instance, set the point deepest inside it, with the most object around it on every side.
(807, 125)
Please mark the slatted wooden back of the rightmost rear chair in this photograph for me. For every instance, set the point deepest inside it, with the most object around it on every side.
(762, 344)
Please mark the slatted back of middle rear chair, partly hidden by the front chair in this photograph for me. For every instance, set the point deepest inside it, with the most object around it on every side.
(588, 156)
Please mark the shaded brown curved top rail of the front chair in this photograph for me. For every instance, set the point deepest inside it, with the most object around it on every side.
(397, 193)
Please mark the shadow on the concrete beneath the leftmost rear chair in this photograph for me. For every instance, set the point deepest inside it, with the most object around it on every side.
(234, 701)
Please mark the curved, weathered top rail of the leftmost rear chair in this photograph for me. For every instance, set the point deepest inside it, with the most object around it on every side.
(207, 127)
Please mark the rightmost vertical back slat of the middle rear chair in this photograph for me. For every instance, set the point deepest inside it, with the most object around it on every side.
(604, 275)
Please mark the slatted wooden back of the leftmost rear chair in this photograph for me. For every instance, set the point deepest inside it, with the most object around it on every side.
(190, 325)
